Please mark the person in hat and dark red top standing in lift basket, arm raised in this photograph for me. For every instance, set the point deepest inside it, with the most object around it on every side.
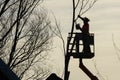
(85, 33)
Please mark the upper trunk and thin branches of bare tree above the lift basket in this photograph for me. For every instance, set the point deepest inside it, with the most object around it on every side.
(80, 7)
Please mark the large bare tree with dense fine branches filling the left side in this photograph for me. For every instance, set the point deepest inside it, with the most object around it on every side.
(25, 36)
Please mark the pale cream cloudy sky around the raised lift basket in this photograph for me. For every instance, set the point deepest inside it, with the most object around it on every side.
(104, 23)
